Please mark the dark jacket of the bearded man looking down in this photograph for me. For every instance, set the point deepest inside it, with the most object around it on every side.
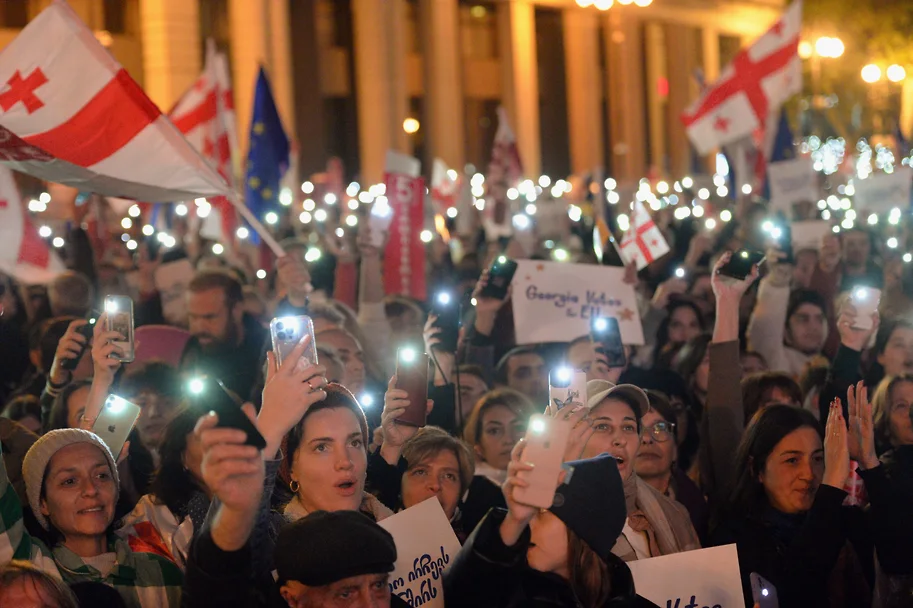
(239, 368)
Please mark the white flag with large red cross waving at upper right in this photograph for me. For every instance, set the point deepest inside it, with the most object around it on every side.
(751, 88)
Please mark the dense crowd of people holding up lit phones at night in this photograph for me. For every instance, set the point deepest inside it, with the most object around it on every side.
(760, 412)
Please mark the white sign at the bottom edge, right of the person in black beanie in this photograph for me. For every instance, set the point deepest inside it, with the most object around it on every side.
(707, 578)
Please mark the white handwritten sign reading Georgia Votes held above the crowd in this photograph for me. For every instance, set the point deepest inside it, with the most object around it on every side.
(555, 302)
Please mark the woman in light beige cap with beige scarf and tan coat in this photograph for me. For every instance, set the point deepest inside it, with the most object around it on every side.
(655, 524)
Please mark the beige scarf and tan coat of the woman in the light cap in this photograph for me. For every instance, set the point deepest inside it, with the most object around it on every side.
(665, 523)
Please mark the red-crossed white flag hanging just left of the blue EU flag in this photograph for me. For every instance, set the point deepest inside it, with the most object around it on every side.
(205, 114)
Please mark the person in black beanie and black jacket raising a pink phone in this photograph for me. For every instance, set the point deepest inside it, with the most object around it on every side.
(560, 556)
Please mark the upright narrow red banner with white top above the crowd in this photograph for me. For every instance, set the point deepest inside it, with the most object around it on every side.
(404, 257)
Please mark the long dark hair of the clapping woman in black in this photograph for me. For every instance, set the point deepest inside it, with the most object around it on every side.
(768, 427)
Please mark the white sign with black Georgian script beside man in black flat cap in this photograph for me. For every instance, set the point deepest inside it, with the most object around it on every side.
(425, 546)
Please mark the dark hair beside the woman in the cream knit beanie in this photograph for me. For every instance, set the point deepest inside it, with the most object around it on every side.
(173, 485)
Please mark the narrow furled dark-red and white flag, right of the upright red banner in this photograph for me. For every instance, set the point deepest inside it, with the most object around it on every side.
(504, 172)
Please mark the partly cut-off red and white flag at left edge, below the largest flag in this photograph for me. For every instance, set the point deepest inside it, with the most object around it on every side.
(24, 255)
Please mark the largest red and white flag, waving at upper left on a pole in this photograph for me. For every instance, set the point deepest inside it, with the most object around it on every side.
(69, 113)
